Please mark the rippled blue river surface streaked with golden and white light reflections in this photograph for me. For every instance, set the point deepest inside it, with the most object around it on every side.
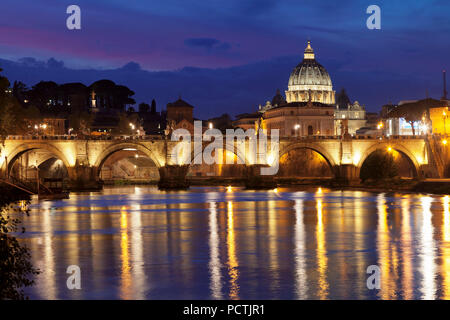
(207, 243)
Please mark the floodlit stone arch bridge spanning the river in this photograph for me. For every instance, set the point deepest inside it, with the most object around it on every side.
(84, 158)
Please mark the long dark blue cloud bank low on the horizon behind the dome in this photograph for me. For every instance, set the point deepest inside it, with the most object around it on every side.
(238, 89)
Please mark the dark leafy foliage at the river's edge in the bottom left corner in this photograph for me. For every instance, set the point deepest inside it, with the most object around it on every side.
(16, 269)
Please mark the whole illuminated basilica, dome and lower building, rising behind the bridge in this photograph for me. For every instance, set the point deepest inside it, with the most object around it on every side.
(310, 105)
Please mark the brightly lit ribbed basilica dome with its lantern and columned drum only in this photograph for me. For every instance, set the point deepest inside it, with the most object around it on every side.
(310, 81)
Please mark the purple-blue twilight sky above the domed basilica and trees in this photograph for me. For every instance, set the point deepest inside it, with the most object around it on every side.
(229, 56)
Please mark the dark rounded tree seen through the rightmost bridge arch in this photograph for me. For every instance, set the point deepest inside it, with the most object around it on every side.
(380, 165)
